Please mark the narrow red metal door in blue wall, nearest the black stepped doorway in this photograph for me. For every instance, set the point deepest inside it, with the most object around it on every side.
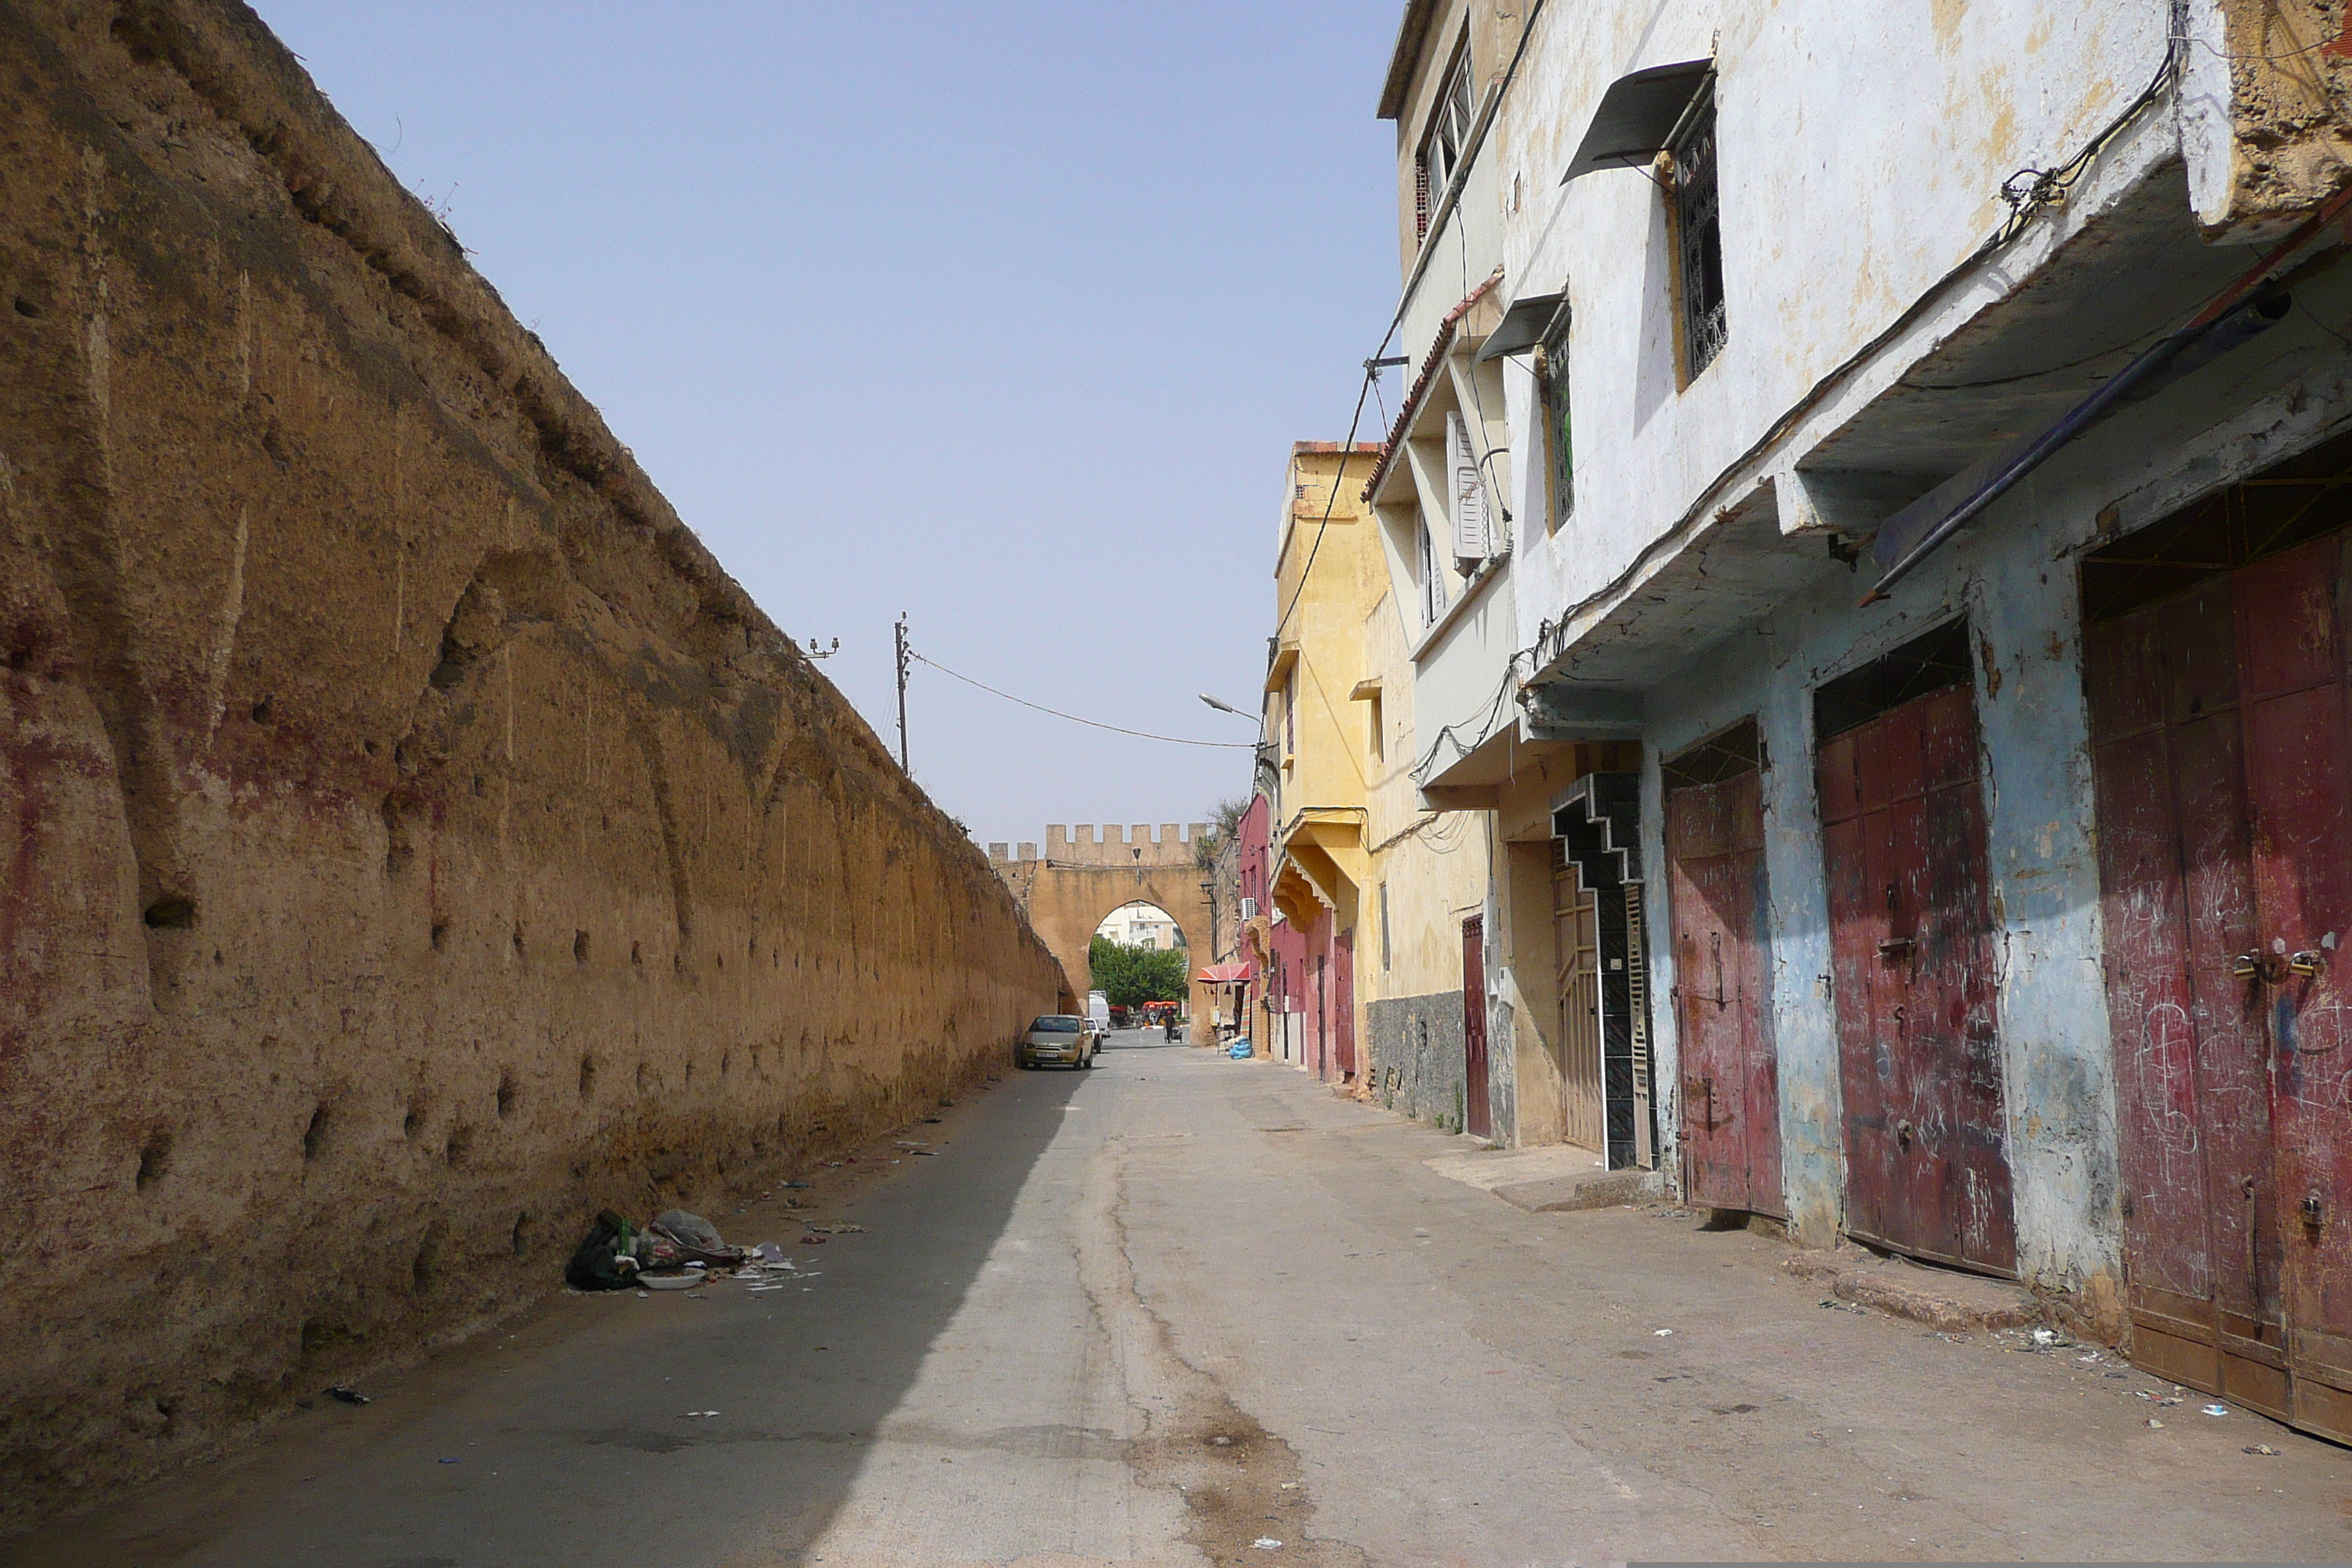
(1723, 1000)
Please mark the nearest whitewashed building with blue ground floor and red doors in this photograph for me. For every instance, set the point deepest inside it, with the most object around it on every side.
(1873, 488)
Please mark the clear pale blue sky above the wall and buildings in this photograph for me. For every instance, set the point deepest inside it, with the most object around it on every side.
(1001, 316)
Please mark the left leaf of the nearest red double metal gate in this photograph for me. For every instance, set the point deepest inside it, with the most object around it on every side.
(2191, 1040)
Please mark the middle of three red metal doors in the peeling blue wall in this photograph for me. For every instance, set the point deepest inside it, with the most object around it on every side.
(1911, 953)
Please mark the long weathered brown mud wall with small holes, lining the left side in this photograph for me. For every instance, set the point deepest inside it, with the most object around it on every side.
(415, 838)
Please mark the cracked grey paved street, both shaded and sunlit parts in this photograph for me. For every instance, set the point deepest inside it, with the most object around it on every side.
(1177, 1308)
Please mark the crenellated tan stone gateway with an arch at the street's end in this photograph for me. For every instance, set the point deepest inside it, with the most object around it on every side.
(1083, 876)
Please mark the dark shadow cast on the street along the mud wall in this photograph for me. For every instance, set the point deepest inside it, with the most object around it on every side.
(577, 1438)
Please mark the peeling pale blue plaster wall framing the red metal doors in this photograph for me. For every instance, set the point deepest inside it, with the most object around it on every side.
(2014, 575)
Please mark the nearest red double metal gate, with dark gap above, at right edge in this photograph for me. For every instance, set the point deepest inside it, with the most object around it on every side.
(2224, 763)
